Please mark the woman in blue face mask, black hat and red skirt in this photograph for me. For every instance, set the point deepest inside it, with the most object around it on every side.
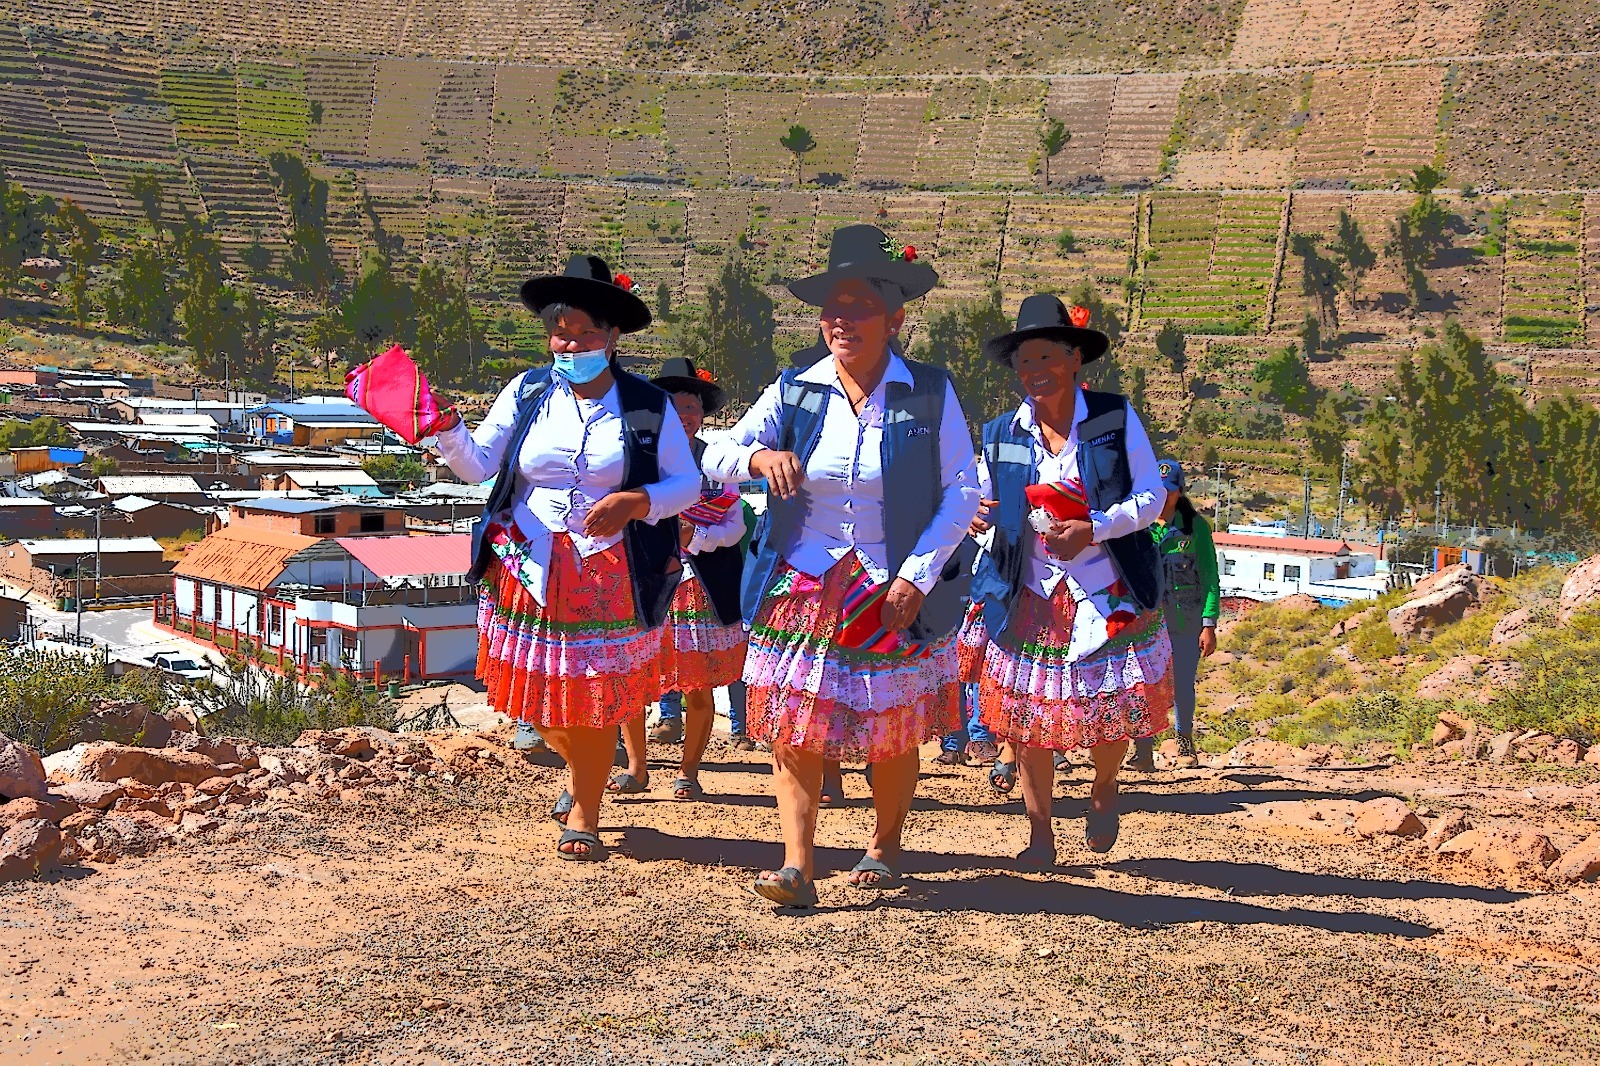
(578, 547)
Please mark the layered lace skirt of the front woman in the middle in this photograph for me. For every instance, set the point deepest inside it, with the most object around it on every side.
(809, 692)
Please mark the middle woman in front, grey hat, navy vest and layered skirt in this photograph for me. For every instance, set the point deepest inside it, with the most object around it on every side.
(857, 590)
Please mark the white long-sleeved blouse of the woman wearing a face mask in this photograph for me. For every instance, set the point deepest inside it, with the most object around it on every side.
(570, 462)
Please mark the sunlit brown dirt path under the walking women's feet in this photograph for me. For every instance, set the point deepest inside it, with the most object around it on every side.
(1236, 921)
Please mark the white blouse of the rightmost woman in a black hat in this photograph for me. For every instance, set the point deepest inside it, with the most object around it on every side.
(1090, 569)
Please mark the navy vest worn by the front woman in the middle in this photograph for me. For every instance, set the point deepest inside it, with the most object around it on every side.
(913, 491)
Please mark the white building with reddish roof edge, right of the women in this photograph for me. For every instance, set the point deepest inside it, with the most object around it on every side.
(1258, 567)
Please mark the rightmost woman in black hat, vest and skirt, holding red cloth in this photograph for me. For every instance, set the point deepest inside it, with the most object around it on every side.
(1078, 654)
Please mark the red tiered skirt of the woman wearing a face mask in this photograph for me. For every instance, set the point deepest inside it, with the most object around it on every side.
(582, 660)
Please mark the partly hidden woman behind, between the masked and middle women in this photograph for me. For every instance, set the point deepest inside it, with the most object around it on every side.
(703, 643)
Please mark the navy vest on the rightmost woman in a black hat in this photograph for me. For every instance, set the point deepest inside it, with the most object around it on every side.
(1108, 481)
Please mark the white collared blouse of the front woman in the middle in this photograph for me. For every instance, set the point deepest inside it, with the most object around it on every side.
(844, 479)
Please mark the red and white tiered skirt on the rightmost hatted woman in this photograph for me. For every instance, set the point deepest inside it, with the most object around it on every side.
(1034, 694)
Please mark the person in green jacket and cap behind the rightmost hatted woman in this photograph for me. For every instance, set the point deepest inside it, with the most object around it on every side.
(1194, 601)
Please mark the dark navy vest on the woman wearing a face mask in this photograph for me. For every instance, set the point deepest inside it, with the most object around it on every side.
(652, 550)
